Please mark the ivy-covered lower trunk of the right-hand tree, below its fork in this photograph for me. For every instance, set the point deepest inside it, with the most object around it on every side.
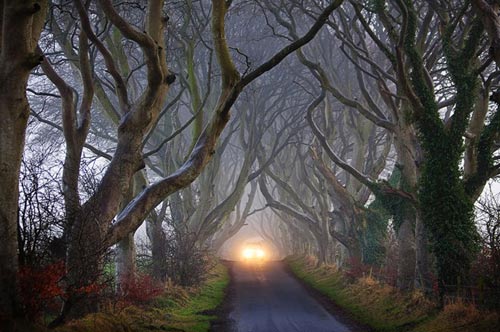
(447, 213)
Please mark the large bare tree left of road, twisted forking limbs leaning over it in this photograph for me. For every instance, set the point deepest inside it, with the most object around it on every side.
(98, 219)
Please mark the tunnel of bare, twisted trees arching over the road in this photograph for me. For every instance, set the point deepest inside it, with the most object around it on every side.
(140, 136)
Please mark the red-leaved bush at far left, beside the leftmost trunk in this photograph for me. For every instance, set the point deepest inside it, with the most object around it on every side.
(40, 289)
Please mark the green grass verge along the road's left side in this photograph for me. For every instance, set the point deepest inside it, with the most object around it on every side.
(178, 309)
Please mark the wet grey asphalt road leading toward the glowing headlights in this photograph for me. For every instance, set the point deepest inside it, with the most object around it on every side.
(265, 298)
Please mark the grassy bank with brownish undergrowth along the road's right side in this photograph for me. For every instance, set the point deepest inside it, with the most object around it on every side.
(384, 308)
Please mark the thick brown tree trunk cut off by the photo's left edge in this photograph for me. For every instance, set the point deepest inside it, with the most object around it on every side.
(20, 25)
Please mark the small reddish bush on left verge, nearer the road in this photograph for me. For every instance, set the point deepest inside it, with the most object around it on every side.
(139, 289)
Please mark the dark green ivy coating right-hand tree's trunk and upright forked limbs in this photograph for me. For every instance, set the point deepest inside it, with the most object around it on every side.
(446, 210)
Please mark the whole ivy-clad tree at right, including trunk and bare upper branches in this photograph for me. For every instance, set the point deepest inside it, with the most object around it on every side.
(447, 103)
